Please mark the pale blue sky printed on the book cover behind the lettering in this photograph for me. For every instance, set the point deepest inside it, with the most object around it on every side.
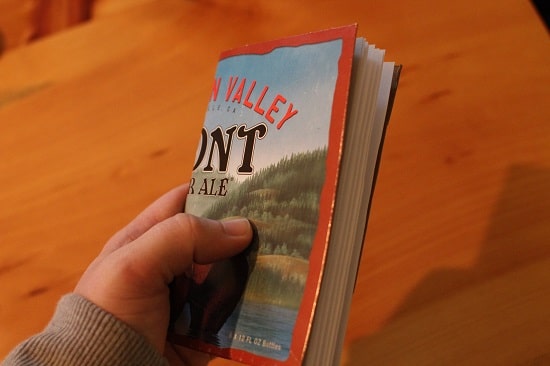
(305, 76)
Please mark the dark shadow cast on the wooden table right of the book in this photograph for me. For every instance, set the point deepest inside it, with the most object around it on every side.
(508, 274)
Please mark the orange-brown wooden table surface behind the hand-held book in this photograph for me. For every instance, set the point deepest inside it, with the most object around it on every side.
(98, 121)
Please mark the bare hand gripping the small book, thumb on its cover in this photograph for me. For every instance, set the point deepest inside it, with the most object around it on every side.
(130, 277)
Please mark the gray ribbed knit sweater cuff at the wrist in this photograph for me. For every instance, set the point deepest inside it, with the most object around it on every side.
(81, 333)
